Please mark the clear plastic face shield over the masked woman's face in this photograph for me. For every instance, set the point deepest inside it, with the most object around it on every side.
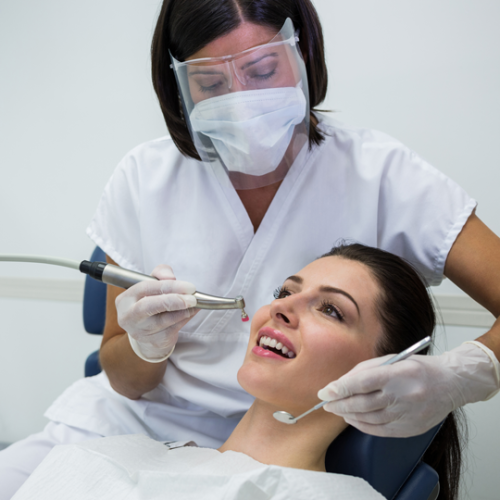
(248, 112)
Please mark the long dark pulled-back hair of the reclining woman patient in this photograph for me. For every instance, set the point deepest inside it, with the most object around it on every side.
(407, 315)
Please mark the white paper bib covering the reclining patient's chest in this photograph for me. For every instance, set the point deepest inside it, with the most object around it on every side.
(138, 468)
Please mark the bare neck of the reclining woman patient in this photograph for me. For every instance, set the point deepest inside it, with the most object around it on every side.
(302, 445)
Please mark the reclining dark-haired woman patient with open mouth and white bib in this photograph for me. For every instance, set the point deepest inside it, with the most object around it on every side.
(350, 305)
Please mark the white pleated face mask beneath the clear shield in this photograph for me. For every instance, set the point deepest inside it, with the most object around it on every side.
(251, 130)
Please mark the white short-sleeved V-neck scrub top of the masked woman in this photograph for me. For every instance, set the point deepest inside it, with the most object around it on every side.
(161, 207)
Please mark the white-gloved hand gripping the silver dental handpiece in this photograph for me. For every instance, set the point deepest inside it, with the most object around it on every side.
(152, 313)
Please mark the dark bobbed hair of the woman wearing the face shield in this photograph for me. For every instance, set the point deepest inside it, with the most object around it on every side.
(186, 26)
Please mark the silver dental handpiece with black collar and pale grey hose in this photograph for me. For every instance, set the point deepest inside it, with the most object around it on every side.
(123, 278)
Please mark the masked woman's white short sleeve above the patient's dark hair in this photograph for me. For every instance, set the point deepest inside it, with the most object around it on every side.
(421, 211)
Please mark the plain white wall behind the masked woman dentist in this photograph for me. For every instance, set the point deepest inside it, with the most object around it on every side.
(75, 96)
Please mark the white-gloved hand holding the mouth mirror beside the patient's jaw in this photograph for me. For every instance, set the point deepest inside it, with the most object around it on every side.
(412, 396)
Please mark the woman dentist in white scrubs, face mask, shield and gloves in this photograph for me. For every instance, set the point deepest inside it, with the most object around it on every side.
(251, 185)
